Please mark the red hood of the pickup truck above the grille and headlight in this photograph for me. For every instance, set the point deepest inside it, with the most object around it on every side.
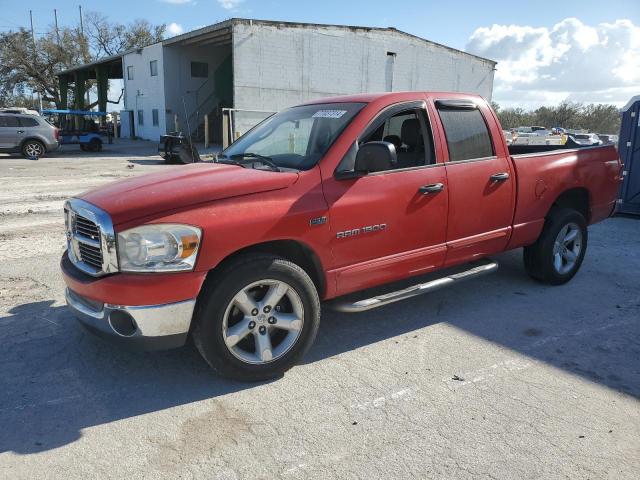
(180, 187)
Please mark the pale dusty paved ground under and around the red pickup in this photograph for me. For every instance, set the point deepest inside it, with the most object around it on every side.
(499, 377)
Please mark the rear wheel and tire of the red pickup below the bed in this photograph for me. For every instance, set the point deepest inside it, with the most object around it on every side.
(559, 251)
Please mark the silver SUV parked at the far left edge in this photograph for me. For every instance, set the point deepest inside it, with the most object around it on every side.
(30, 135)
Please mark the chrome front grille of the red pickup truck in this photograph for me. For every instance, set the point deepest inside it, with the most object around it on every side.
(90, 238)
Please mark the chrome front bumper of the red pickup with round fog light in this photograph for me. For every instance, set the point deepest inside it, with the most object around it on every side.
(149, 327)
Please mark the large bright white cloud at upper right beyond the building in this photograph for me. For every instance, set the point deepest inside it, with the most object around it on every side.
(569, 61)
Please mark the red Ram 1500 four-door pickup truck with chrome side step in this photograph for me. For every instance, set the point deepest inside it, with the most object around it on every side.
(319, 201)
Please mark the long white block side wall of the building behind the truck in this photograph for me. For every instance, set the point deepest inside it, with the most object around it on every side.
(276, 66)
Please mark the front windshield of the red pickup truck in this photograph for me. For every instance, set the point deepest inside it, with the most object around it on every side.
(295, 138)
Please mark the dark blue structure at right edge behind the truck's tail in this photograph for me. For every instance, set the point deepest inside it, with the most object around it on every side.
(629, 148)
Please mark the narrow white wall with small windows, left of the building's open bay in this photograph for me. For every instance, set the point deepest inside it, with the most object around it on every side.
(145, 92)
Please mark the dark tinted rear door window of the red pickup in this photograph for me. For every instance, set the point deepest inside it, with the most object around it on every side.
(467, 134)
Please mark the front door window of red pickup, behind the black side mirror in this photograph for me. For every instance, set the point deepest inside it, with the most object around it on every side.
(406, 130)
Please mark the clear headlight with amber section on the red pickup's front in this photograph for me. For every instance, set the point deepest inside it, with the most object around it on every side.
(158, 248)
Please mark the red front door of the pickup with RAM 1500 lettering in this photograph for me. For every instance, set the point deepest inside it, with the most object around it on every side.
(386, 225)
